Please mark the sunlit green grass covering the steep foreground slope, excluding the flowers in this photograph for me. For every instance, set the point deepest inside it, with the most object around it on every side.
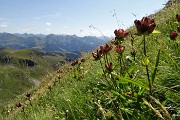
(86, 94)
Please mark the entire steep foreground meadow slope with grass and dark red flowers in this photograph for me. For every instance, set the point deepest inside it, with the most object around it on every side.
(135, 76)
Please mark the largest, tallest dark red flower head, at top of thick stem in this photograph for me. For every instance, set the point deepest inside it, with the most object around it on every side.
(145, 26)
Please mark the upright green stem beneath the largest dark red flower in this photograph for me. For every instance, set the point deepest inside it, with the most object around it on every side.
(147, 69)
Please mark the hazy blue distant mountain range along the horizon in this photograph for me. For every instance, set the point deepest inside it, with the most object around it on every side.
(51, 42)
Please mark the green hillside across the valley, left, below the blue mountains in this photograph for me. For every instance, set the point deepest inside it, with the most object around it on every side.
(16, 79)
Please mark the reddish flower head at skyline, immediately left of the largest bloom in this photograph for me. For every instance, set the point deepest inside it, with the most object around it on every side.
(120, 34)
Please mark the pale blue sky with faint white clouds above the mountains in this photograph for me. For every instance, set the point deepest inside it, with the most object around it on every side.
(73, 16)
